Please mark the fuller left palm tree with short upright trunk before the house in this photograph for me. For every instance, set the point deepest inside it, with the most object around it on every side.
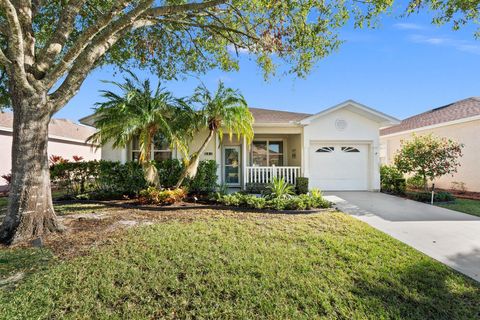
(143, 112)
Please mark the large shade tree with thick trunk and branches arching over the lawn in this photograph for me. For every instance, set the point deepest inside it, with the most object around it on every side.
(48, 48)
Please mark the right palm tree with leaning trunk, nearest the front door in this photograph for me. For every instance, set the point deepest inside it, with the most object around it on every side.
(224, 111)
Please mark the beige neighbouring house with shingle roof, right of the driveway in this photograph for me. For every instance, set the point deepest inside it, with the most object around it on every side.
(459, 121)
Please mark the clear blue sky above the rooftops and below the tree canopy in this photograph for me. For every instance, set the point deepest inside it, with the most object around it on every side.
(402, 68)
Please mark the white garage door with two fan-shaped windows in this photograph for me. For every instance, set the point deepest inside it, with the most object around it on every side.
(338, 166)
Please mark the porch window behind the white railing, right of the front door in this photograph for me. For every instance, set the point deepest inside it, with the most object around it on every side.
(267, 153)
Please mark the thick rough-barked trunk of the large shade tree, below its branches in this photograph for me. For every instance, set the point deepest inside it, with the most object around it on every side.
(30, 211)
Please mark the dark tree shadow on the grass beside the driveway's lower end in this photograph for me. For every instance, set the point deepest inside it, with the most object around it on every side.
(426, 290)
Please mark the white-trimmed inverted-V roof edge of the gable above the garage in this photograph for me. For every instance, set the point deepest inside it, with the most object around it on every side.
(351, 105)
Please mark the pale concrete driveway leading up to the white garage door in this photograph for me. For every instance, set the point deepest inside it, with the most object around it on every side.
(448, 236)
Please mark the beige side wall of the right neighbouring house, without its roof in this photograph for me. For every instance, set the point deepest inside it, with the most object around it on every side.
(467, 133)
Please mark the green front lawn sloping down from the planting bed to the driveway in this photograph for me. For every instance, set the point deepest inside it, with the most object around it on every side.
(244, 266)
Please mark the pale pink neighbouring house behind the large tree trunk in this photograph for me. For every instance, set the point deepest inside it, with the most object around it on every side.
(66, 139)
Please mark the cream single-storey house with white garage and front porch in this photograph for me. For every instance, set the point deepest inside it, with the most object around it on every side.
(337, 149)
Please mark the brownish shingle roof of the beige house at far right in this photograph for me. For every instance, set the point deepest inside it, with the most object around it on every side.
(466, 108)
